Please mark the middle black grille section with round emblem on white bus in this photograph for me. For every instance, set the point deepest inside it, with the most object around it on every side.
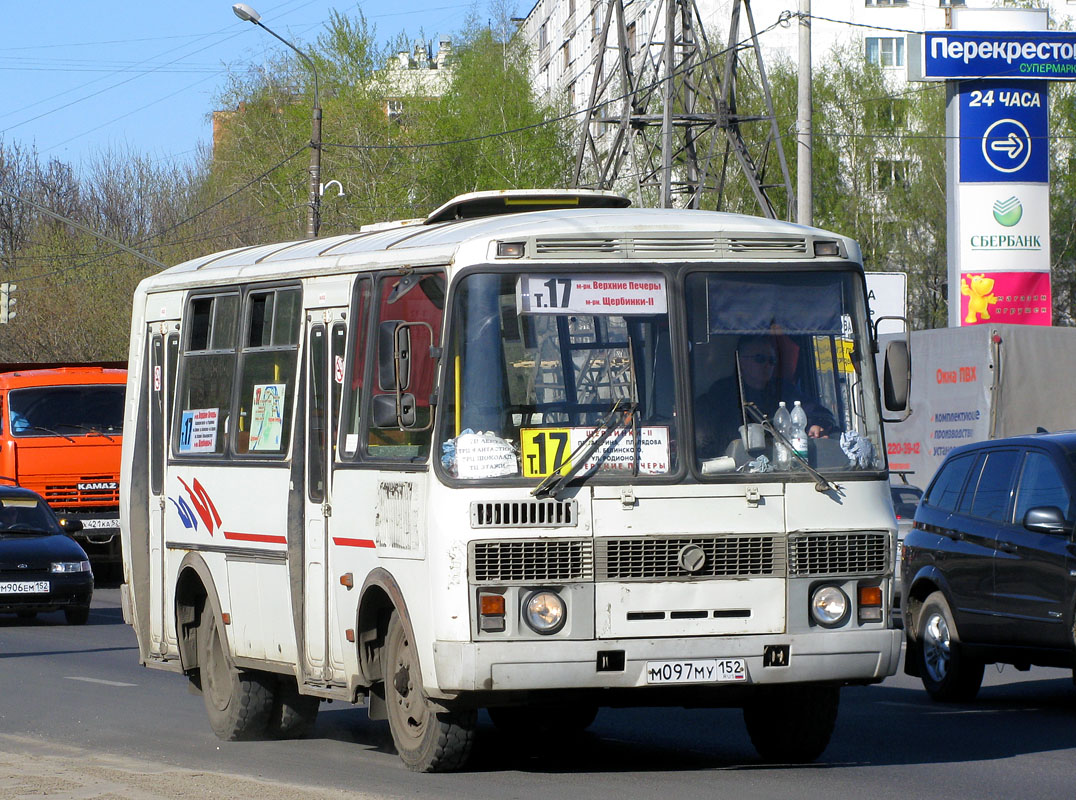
(689, 558)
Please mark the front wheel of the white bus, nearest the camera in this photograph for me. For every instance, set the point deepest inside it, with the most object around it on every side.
(428, 739)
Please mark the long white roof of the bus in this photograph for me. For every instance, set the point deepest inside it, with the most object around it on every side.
(556, 235)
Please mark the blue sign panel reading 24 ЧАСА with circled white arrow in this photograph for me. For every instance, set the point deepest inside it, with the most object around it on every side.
(1003, 132)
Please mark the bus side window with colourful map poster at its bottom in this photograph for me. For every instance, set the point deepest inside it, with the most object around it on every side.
(268, 359)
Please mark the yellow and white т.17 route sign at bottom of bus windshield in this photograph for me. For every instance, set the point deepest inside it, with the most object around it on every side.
(547, 451)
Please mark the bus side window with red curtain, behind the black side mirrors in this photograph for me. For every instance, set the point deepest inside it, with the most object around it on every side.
(415, 298)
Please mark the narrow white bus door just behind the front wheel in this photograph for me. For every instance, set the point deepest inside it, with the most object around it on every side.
(328, 336)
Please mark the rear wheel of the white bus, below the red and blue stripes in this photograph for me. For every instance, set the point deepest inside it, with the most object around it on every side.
(238, 704)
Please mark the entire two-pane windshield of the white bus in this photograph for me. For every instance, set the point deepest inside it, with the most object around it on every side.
(574, 373)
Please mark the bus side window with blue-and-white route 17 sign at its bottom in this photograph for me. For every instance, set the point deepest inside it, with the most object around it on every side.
(207, 372)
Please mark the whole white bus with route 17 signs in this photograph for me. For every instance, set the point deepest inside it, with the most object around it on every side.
(511, 458)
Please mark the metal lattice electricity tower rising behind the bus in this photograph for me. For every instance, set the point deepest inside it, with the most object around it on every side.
(663, 120)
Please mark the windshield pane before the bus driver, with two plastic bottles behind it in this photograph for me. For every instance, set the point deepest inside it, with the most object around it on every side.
(759, 340)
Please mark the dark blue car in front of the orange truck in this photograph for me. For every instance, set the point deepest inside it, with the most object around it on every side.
(43, 569)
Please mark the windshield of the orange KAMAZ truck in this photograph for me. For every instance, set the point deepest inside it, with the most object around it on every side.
(75, 411)
